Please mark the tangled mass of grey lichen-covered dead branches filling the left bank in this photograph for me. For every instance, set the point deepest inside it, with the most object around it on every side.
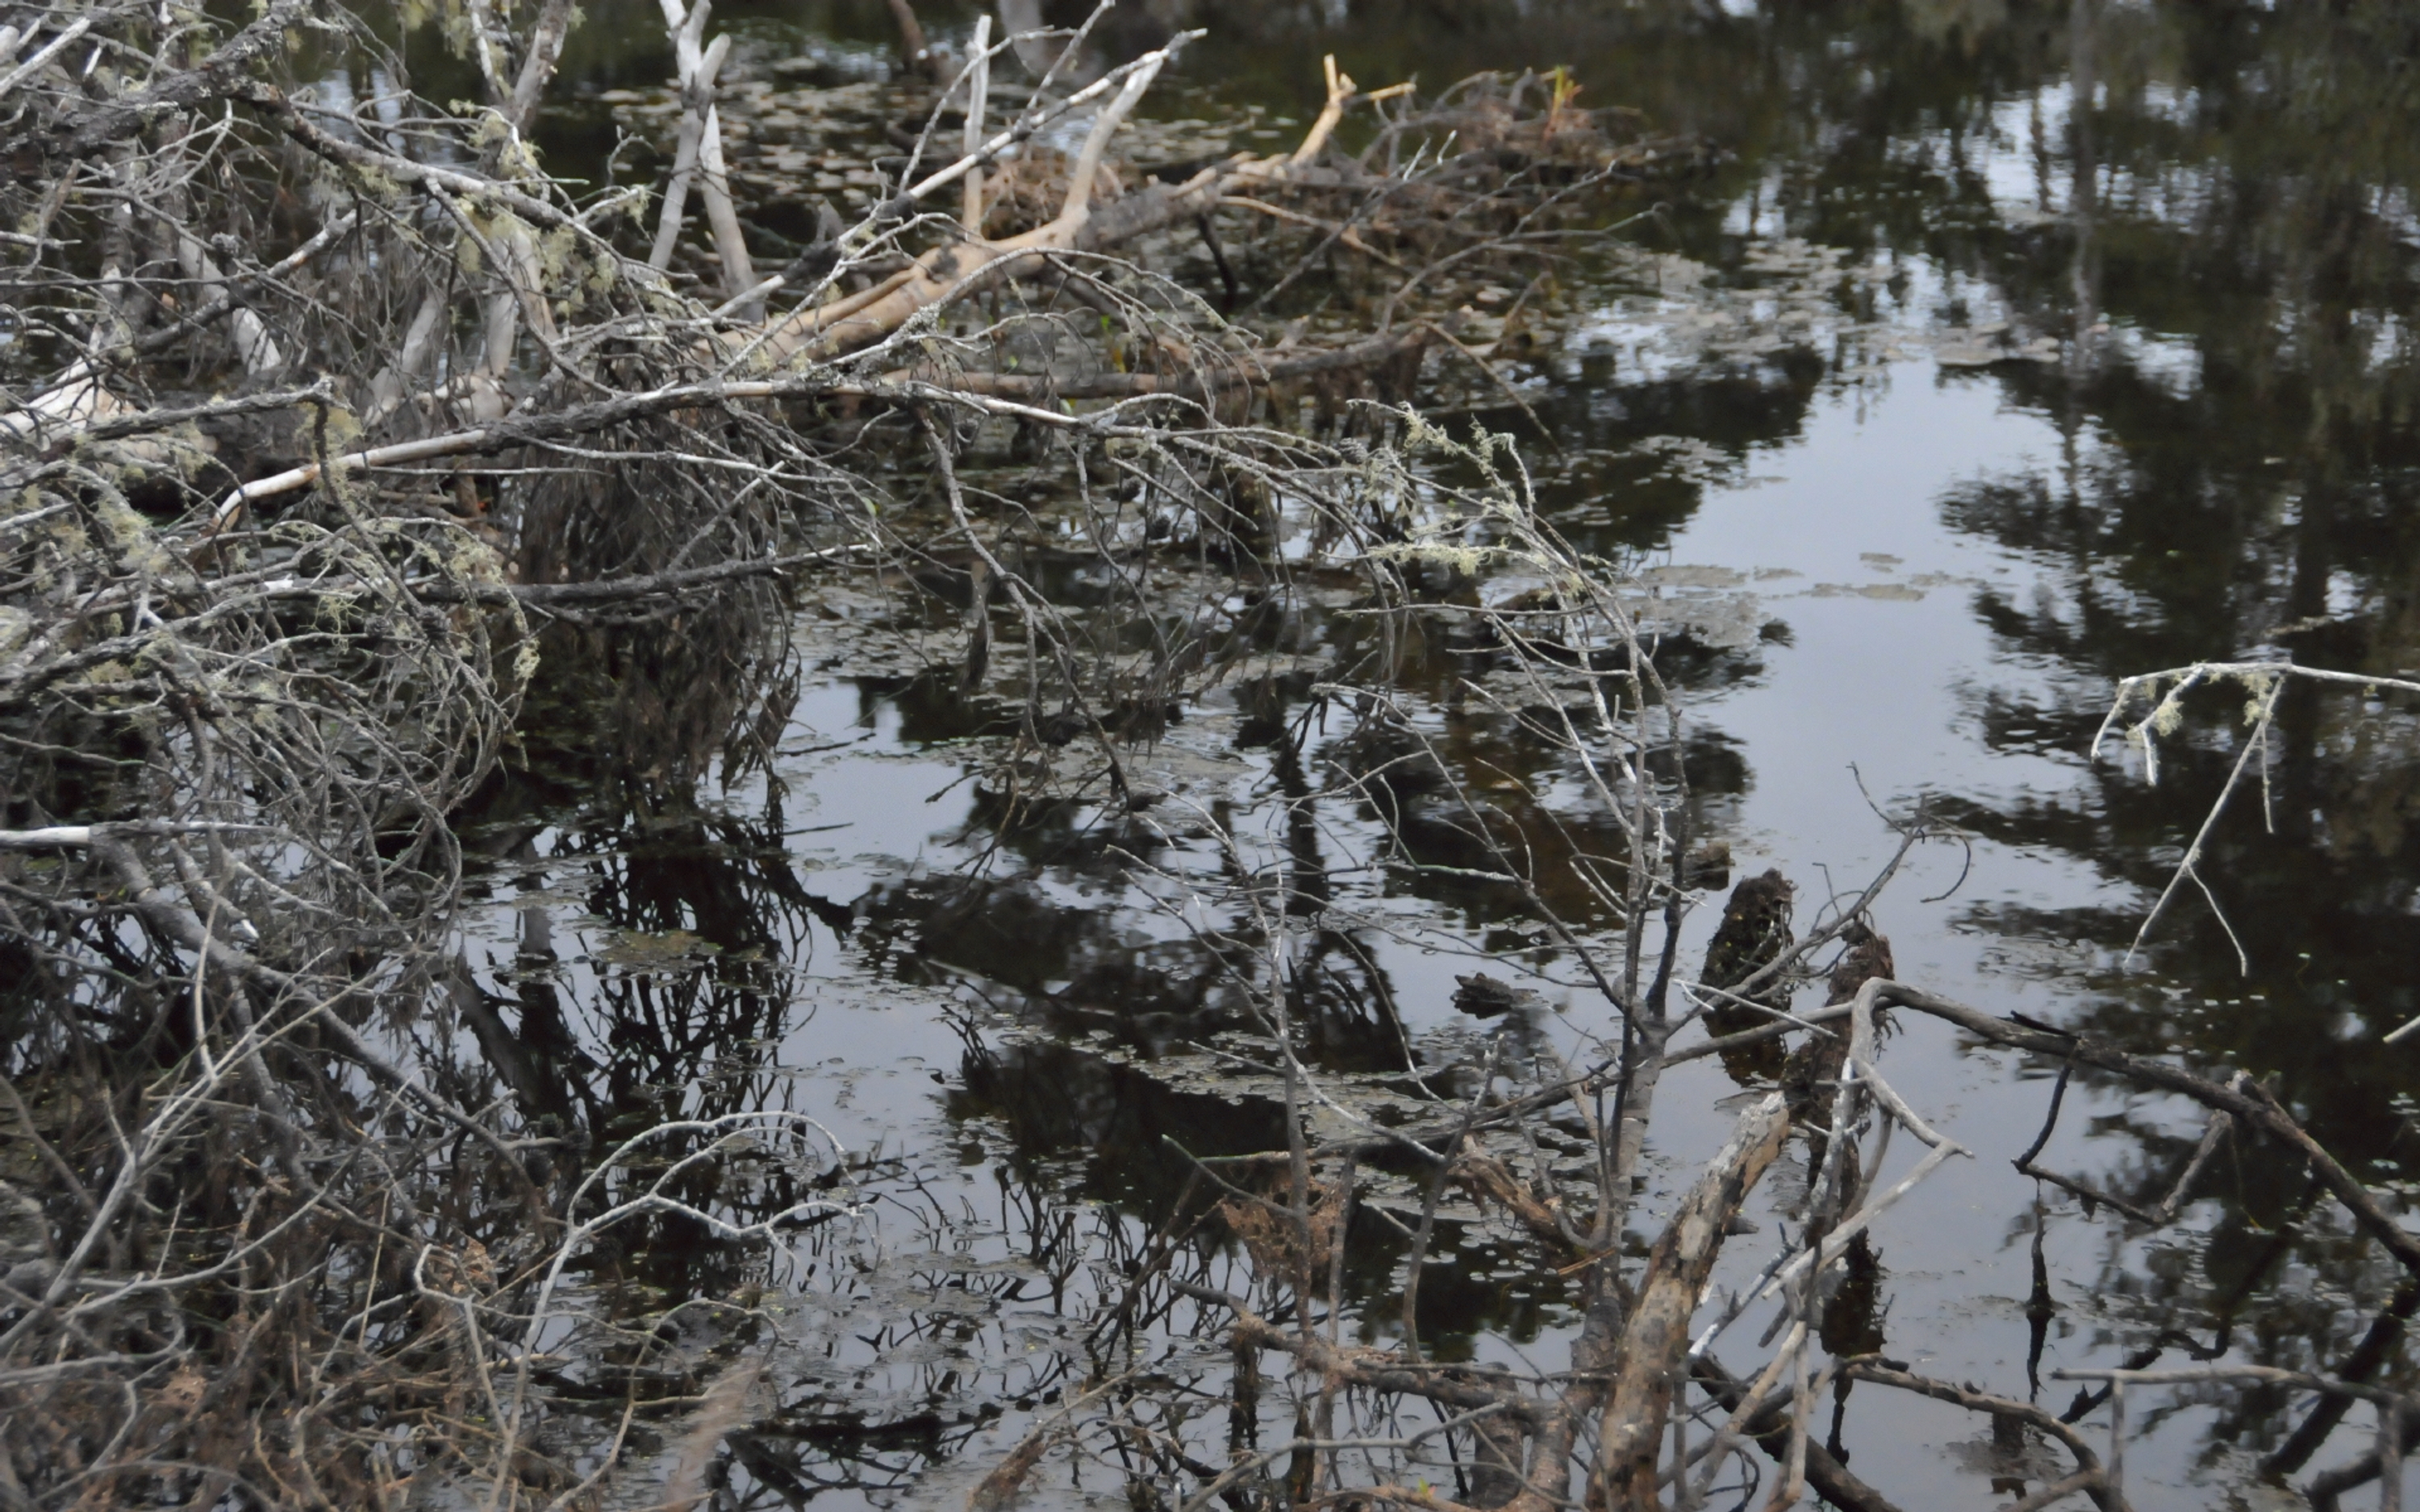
(338, 439)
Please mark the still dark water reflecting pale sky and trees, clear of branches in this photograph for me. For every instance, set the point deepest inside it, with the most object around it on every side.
(2012, 350)
